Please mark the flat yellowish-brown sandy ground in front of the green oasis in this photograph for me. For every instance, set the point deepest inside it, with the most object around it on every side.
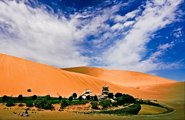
(6, 114)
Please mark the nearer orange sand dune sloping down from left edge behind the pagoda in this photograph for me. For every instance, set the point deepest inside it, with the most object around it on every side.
(17, 75)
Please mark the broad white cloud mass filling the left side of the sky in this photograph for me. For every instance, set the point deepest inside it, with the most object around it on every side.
(37, 35)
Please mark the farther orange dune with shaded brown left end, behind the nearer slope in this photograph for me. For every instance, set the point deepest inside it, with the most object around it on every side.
(121, 77)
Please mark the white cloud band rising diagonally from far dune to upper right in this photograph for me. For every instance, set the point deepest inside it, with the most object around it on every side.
(128, 53)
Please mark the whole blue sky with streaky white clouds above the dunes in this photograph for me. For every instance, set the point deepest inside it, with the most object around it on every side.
(146, 36)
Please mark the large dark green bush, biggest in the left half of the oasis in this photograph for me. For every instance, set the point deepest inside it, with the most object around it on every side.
(43, 103)
